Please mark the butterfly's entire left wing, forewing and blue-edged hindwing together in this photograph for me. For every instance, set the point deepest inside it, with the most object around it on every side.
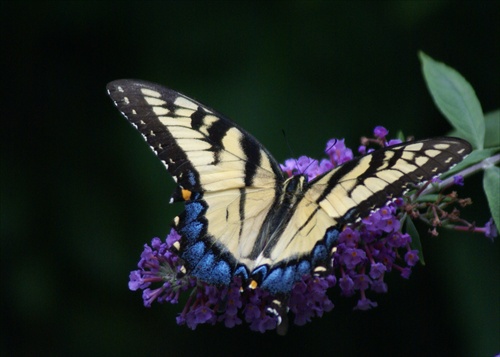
(226, 178)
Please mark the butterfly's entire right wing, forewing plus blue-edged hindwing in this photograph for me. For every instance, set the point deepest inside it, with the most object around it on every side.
(346, 194)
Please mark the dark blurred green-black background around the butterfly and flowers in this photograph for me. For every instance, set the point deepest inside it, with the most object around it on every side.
(81, 192)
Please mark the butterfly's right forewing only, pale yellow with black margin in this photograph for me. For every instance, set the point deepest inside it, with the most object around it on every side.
(354, 189)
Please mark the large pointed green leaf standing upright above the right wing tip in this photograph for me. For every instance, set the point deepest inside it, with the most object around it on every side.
(456, 99)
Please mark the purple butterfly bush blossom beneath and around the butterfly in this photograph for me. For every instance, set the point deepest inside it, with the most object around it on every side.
(364, 254)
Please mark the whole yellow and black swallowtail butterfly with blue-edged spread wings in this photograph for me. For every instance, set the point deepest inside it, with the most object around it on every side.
(242, 216)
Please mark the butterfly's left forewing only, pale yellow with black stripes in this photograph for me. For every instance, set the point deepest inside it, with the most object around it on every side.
(201, 149)
